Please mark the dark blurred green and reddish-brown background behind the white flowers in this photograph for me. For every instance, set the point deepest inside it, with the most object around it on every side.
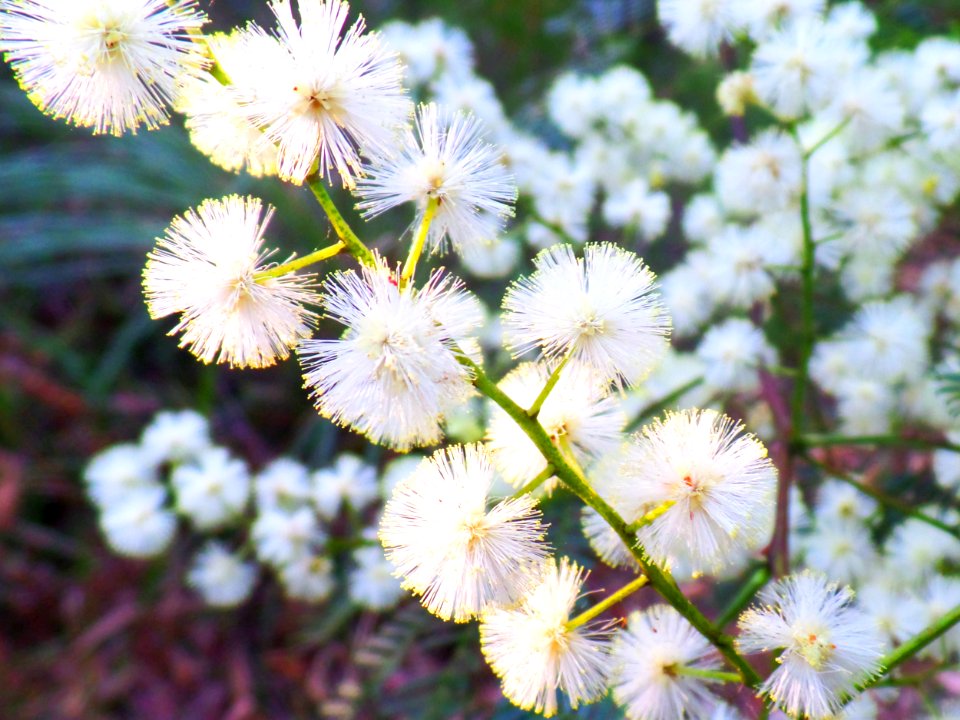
(84, 634)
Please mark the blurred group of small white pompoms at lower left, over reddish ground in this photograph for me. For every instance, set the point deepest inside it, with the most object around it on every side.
(281, 514)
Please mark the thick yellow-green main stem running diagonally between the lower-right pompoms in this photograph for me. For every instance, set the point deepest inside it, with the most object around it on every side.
(660, 579)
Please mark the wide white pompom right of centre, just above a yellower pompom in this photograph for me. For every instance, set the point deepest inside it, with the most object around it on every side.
(601, 309)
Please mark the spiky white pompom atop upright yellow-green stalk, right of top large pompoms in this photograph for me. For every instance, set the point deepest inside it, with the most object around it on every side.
(447, 162)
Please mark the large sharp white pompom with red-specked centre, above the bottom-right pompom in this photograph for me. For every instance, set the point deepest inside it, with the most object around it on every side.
(720, 481)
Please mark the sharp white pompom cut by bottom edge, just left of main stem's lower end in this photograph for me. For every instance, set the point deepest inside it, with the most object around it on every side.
(649, 658)
